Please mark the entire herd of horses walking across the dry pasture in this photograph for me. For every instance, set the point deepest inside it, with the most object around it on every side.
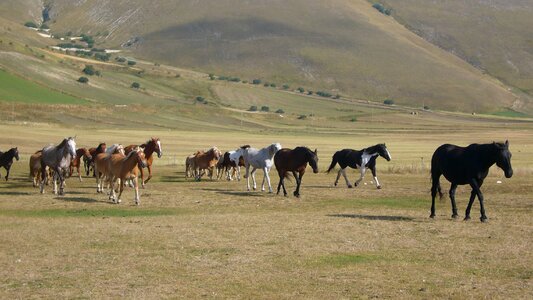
(117, 166)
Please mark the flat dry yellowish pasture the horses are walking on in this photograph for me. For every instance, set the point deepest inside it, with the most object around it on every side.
(214, 239)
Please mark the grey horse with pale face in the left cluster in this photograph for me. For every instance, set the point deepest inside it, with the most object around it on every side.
(58, 159)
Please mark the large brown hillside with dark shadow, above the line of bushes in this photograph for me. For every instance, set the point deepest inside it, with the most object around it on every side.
(342, 46)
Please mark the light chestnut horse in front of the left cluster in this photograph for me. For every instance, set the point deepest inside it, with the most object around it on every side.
(126, 167)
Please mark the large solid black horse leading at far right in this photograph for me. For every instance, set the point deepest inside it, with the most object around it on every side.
(467, 165)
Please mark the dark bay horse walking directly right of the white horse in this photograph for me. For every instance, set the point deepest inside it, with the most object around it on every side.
(295, 161)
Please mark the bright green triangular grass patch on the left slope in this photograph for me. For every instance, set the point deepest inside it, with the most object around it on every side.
(16, 89)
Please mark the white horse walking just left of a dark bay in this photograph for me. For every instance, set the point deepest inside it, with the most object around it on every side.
(259, 159)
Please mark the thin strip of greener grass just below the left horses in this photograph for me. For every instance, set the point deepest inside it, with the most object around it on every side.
(112, 212)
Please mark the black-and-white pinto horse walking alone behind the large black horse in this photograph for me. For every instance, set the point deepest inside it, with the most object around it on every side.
(362, 159)
